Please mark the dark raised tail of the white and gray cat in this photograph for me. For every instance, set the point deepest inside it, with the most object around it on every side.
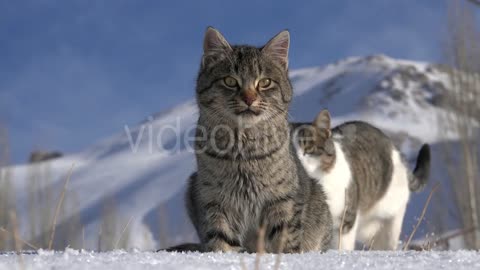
(421, 173)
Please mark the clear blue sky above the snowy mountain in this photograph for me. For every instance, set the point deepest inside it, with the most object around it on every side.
(72, 72)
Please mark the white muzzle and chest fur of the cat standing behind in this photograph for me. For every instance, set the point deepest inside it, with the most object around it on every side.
(335, 181)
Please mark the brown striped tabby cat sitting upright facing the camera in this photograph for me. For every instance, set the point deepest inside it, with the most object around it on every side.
(249, 178)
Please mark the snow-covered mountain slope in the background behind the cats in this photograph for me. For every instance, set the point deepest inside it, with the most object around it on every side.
(142, 170)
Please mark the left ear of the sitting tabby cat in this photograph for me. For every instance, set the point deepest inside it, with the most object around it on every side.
(215, 46)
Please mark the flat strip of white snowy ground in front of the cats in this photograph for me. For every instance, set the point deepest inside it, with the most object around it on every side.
(118, 260)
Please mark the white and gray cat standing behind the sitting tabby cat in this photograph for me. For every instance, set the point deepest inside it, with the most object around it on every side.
(359, 161)
